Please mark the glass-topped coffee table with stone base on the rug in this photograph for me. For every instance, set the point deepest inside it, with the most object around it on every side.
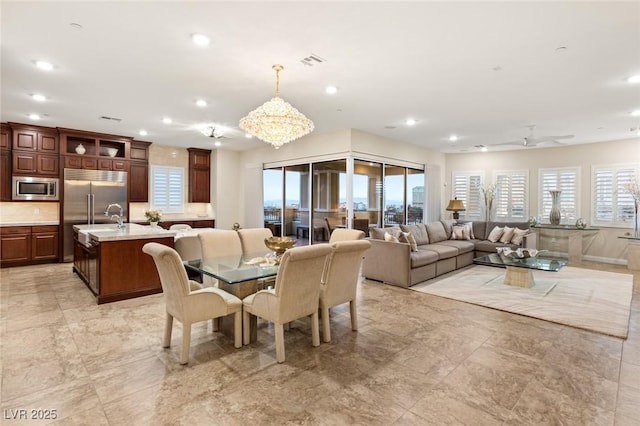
(520, 271)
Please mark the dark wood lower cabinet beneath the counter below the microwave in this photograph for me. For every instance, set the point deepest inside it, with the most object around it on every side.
(26, 245)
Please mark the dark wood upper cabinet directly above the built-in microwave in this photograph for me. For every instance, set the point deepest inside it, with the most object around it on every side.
(35, 150)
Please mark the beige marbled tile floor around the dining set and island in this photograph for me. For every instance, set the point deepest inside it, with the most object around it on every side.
(416, 360)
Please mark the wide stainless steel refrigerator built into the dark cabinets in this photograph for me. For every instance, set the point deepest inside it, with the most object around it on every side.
(87, 193)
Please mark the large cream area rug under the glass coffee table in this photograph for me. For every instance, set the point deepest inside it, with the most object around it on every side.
(589, 299)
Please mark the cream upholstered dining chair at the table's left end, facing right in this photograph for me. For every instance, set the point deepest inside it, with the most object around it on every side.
(187, 301)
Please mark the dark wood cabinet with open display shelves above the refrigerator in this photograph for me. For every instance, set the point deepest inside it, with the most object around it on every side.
(96, 151)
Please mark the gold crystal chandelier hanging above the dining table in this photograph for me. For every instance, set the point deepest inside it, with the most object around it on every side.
(276, 121)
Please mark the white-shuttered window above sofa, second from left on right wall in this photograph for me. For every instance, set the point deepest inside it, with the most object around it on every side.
(511, 196)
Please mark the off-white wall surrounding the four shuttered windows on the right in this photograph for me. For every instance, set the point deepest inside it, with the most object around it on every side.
(601, 246)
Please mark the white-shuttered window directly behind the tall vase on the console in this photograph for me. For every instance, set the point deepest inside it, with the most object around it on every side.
(567, 180)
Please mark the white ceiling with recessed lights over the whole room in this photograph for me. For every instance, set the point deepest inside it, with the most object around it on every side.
(481, 70)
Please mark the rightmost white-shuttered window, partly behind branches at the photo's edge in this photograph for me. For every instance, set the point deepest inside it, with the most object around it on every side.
(612, 204)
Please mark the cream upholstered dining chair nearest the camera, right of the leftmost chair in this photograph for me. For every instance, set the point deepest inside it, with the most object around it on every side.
(295, 295)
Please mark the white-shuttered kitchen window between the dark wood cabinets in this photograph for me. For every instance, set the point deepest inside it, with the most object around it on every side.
(167, 189)
